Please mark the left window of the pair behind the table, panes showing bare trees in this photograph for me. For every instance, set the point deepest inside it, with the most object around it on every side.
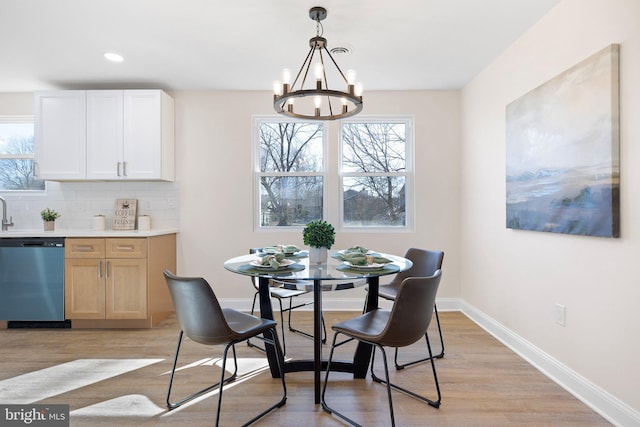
(290, 172)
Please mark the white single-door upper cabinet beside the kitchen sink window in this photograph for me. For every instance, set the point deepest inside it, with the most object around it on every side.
(60, 135)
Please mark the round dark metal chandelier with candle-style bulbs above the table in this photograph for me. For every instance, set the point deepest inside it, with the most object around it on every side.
(316, 101)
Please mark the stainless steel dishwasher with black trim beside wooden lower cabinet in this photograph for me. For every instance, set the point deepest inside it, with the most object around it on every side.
(32, 281)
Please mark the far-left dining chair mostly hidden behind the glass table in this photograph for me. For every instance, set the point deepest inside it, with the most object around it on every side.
(285, 290)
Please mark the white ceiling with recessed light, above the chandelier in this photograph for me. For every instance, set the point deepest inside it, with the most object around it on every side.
(244, 44)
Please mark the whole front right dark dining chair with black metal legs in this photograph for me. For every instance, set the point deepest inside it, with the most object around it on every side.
(404, 324)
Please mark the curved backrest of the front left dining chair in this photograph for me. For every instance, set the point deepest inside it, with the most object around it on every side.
(198, 310)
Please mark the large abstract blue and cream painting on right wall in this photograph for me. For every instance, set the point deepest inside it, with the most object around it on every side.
(563, 164)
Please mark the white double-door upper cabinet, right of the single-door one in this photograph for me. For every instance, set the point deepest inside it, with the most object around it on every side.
(130, 135)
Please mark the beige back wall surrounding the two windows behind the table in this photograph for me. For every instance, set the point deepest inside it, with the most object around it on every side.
(213, 140)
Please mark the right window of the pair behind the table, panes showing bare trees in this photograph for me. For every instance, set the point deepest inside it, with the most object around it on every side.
(375, 173)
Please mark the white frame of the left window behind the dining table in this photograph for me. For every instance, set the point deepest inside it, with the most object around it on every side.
(257, 120)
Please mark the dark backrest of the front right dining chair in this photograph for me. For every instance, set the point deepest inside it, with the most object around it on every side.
(412, 311)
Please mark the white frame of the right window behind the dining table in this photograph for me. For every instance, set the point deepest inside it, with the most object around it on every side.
(409, 175)
